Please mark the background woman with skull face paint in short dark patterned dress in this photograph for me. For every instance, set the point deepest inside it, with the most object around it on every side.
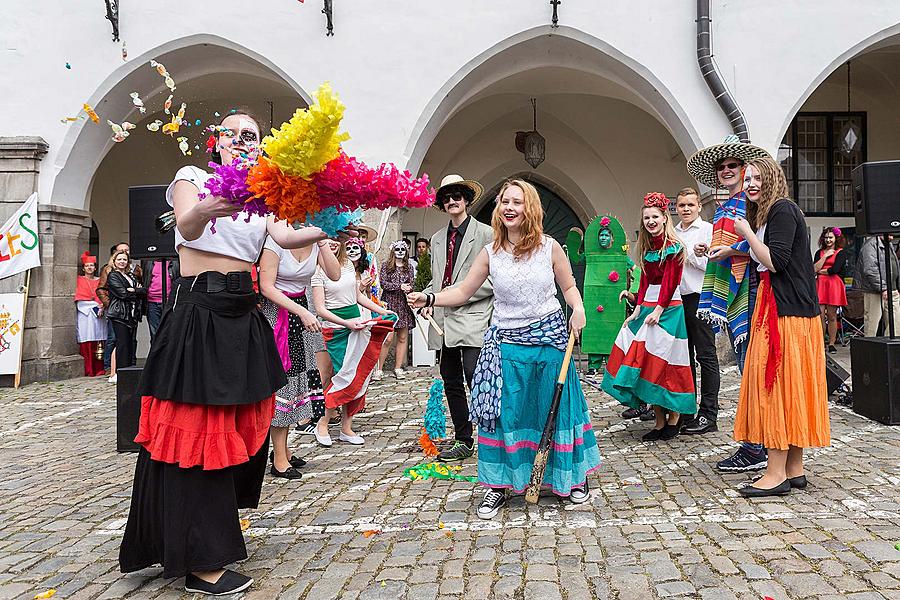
(397, 277)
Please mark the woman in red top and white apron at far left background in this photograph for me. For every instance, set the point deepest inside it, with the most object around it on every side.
(90, 327)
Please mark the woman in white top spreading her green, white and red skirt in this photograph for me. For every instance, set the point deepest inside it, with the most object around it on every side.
(338, 305)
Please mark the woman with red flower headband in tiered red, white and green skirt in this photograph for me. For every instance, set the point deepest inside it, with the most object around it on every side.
(649, 361)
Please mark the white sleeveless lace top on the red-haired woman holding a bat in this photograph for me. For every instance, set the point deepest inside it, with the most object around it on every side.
(524, 288)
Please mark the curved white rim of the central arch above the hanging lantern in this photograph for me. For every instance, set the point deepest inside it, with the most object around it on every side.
(576, 50)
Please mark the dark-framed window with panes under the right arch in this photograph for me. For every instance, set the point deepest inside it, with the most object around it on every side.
(817, 169)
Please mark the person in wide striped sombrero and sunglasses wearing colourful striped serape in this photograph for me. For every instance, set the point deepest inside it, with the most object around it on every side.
(727, 296)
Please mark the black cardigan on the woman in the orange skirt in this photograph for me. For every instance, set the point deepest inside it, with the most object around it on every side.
(794, 277)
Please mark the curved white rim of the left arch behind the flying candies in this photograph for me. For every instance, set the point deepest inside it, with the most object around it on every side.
(85, 144)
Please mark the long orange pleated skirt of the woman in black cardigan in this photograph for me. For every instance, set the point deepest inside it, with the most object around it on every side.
(795, 411)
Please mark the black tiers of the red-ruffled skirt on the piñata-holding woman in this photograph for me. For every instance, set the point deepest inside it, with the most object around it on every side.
(213, 348)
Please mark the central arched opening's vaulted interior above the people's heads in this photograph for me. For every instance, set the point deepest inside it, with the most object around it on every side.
(612, 131)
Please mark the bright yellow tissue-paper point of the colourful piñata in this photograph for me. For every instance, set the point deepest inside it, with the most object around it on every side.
(303, 145)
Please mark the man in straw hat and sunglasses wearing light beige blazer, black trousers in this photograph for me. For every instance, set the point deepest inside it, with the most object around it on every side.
(453, 250)
